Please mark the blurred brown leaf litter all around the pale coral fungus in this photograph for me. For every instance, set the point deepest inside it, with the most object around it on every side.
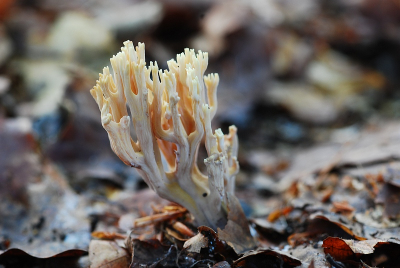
(319, 166)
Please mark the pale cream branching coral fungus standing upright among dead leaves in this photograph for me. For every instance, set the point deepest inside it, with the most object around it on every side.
(171, 111)
